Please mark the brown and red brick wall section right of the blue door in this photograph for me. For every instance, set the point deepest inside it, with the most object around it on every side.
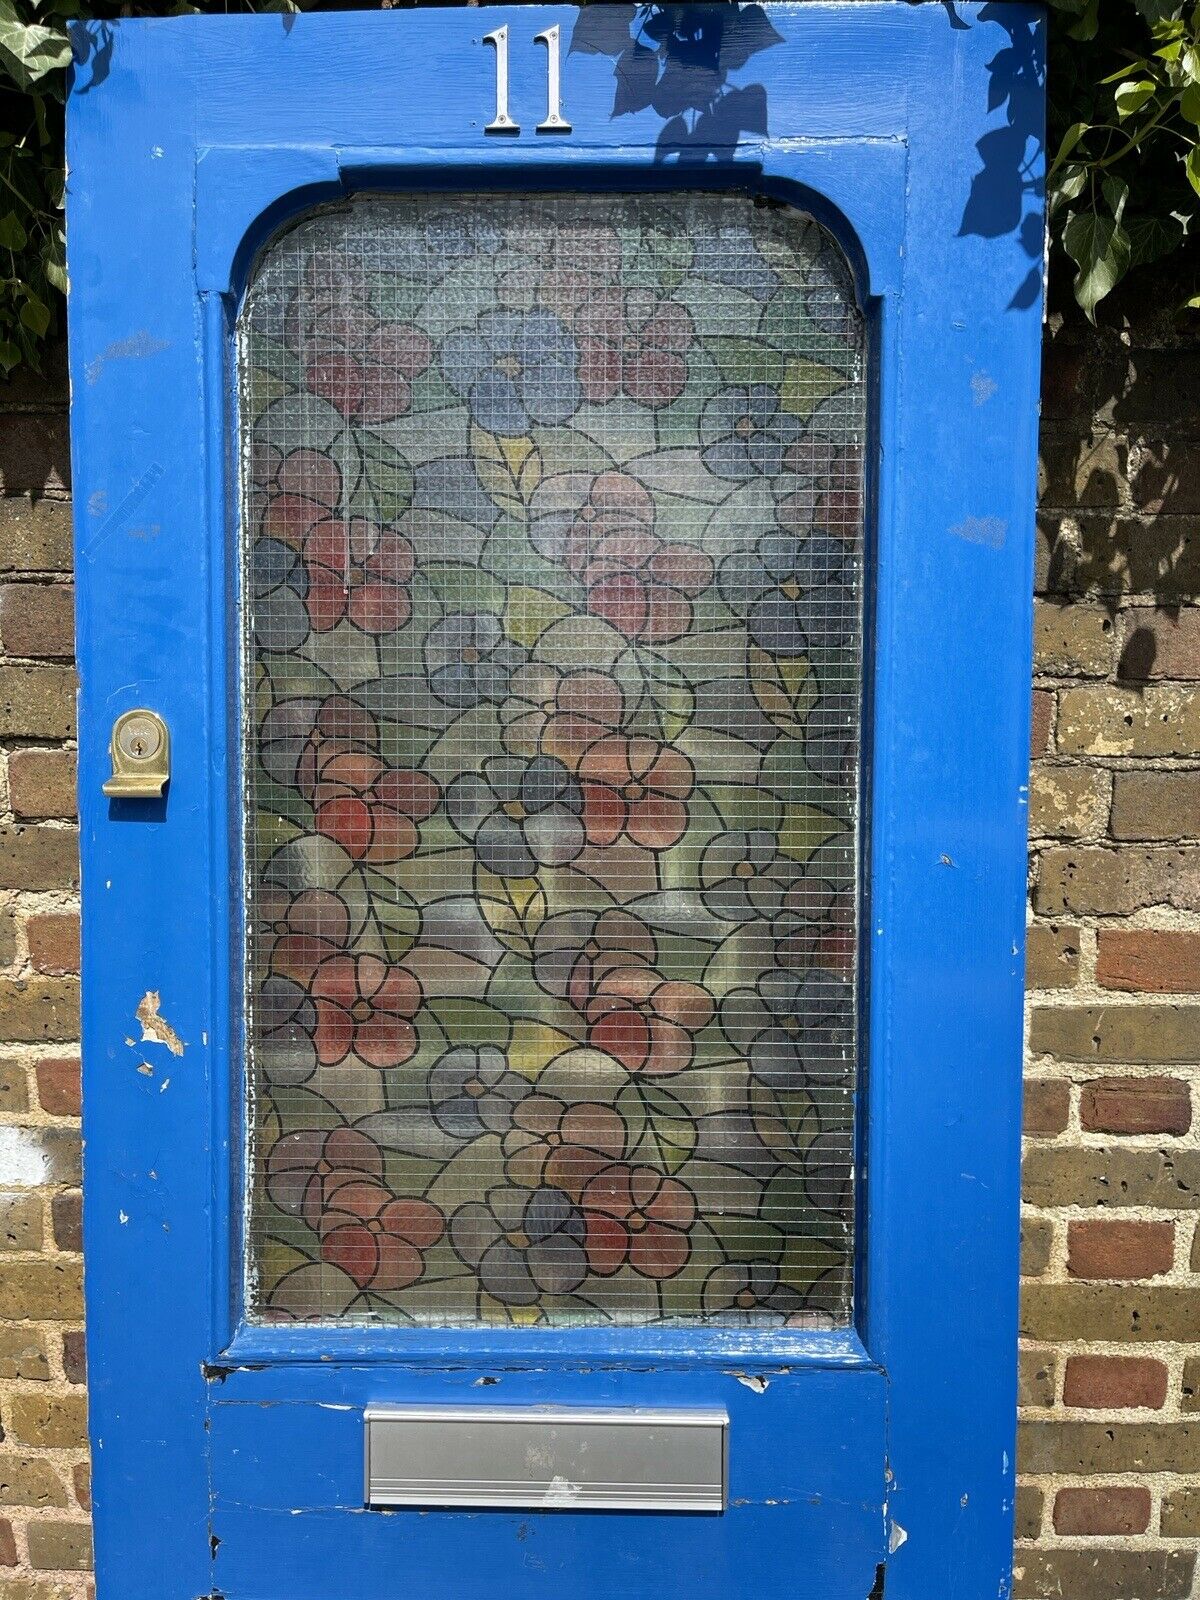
(1110, 1460)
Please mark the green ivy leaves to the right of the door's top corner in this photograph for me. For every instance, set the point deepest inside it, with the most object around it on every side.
(1124, 137)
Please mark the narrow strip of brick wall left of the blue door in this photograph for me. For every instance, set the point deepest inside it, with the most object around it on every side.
(44, 1460)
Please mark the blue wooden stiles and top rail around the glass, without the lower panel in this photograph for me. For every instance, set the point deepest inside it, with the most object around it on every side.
(228, 129)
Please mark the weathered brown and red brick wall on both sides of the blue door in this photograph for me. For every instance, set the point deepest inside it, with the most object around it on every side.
(1110, 1462)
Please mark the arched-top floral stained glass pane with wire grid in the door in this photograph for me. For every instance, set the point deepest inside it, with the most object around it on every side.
(554, 548)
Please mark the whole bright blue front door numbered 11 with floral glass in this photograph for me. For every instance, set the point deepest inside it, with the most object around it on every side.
(567, 1137)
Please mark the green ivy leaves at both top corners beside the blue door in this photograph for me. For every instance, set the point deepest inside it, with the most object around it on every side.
(1124, 138)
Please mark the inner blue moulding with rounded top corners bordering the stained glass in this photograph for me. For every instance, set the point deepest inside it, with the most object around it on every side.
(855, 188)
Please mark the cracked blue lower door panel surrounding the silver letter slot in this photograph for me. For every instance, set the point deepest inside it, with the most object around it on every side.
(806, 1495)
